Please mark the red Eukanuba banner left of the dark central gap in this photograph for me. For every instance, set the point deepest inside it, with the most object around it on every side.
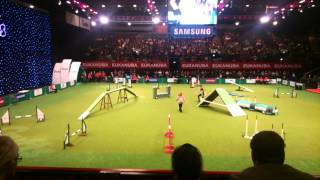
(125, 65)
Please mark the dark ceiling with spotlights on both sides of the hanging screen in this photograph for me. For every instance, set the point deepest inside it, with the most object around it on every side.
(159, 7)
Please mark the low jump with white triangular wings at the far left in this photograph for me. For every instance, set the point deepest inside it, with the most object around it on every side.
(6, 118)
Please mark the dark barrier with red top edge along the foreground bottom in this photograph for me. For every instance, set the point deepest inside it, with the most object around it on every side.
(44, 173)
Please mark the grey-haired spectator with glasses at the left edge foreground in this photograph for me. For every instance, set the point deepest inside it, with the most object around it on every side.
(8, 158)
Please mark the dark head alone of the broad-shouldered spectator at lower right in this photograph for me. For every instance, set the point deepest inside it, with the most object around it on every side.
(267, 147)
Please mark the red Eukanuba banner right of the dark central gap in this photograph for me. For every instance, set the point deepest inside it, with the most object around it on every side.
(211, 65)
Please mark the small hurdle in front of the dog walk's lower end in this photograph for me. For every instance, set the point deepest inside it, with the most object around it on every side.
(80, 132)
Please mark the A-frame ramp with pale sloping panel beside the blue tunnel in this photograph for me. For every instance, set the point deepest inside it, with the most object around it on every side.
(227, 102)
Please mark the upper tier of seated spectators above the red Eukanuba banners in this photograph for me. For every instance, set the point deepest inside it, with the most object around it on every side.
(226, 45)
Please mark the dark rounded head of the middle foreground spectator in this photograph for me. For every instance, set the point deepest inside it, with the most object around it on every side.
(187, 163)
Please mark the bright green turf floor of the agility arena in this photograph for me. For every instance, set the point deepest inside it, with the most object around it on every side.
(131, 135)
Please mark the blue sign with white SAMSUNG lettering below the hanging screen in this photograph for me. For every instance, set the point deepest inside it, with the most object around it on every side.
(191, 31)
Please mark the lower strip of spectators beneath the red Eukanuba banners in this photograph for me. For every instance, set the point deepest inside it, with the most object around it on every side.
(103, 75)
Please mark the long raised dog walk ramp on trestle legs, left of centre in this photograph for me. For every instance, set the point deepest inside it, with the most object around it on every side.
(105, 100)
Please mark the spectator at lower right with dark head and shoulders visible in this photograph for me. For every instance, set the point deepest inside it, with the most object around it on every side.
(267, 153)
